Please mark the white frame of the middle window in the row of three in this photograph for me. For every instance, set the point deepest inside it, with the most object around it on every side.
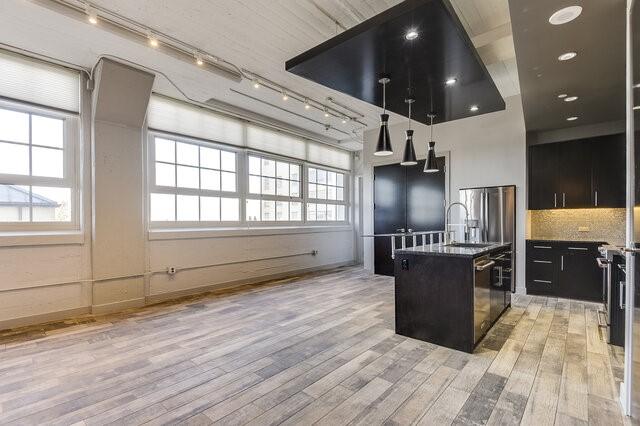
(276, 198)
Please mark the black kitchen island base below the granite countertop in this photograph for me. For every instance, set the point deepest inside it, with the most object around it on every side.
(434, 296)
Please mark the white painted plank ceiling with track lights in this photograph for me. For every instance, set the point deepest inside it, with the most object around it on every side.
(257, 35)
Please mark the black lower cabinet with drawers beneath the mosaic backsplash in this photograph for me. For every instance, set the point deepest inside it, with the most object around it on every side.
(564, 269)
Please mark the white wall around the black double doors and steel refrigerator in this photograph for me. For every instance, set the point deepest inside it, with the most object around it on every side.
(486, 150)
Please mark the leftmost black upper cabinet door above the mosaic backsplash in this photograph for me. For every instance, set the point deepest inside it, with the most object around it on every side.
(543, 169)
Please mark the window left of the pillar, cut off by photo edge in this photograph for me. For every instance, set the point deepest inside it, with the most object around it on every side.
(38, 189)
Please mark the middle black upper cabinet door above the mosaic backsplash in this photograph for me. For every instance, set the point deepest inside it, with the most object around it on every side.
(574, 175)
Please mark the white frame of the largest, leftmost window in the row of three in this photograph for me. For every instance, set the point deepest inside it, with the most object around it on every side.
(153, 188)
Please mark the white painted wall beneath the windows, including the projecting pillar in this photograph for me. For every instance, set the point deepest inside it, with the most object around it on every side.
(55, 276)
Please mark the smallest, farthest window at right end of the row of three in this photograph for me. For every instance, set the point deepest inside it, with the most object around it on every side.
(328, 188)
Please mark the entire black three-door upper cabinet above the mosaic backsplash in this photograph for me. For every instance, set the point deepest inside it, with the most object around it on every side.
(578, 174)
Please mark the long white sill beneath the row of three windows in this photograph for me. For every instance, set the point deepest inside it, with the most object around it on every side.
(196, 233)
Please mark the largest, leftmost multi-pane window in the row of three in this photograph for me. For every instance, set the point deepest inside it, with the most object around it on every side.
(192, 181)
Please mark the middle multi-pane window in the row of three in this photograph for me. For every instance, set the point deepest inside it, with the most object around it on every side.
(274, 190)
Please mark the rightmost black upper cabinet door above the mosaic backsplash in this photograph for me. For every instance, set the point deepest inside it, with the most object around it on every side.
(608, 171)
